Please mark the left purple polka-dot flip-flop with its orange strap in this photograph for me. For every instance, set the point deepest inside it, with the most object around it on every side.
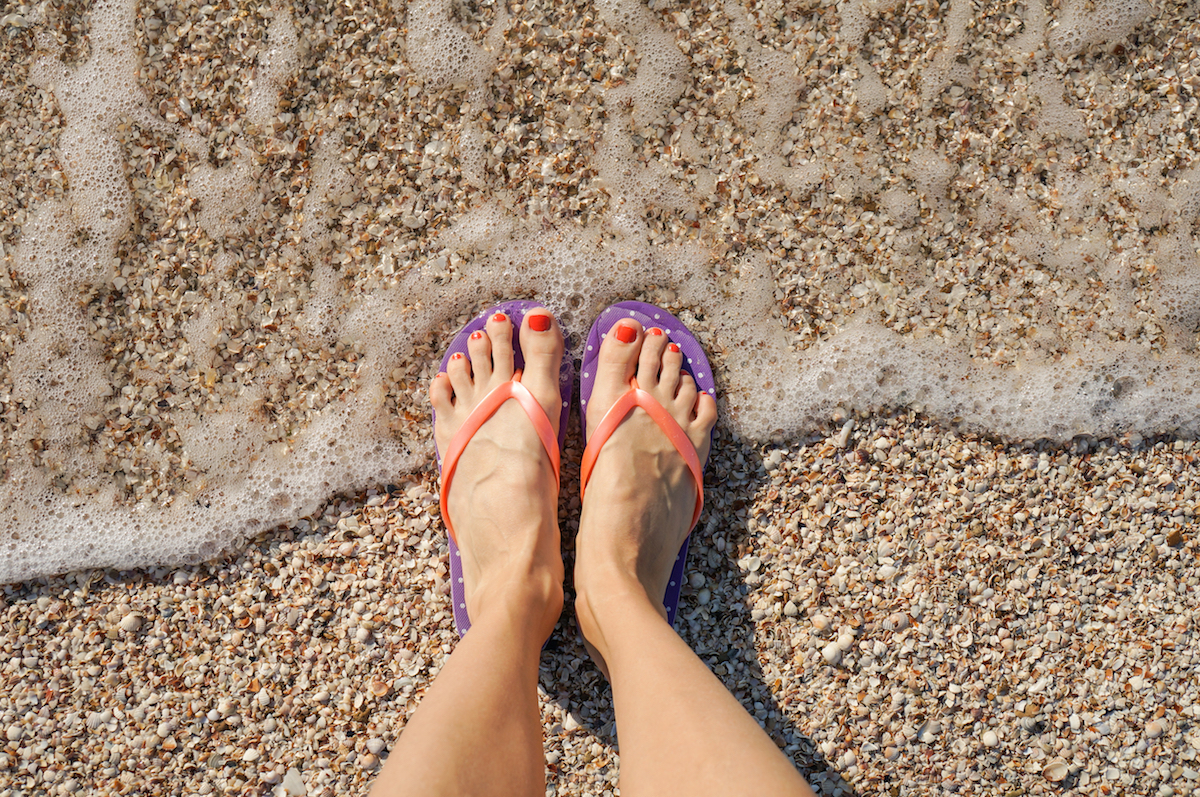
(517, 313)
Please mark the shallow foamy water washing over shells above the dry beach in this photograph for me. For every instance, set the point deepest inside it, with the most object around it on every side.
(236, 238)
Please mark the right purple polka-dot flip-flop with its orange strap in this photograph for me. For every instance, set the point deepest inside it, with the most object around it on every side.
(694, 363)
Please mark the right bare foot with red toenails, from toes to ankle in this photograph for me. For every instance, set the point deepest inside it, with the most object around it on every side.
(640, 501)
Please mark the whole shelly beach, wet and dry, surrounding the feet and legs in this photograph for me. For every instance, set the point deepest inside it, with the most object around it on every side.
(945, 261)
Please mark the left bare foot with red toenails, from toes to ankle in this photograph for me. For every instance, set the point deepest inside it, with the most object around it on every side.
(503, 501)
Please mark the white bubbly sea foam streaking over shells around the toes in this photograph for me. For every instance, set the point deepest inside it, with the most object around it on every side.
(67, 499)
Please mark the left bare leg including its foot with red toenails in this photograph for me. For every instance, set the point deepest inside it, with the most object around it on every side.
(478, 732)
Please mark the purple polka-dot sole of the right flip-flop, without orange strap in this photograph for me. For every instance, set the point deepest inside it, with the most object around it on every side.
(694, 363)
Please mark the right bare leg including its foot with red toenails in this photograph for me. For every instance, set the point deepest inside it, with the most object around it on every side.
(681, 730)
